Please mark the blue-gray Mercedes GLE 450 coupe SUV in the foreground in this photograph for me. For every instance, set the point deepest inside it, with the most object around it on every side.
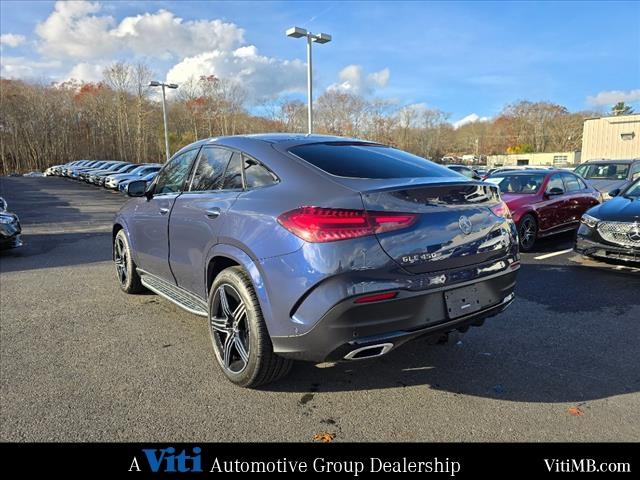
(316, 248)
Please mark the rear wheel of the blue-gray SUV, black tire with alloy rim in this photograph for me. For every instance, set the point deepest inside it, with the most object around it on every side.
(239, 336)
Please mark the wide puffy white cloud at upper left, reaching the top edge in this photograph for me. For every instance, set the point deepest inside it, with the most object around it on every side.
(77, 29)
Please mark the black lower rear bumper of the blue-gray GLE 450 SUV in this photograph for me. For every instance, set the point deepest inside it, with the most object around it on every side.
(349, 326)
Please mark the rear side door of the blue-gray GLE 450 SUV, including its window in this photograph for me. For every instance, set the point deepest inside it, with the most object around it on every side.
(199, 212)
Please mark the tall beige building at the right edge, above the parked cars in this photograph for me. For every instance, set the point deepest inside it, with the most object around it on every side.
(614, 138)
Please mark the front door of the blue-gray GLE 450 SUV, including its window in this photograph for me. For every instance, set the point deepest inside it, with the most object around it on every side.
(150, 225)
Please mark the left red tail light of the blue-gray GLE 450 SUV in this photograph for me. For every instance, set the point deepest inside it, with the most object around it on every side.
(319, 225)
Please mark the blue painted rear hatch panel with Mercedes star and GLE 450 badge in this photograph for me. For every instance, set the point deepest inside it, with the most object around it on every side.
(454, 226)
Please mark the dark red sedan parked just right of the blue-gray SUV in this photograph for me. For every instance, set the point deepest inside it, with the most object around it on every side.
(544, 202)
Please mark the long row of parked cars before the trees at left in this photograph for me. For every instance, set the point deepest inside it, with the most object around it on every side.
(106, 173)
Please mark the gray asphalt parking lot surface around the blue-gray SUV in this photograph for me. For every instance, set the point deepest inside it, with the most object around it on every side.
(82, 361)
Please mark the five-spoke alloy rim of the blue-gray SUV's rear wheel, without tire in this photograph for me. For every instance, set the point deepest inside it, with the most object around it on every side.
(229, 328)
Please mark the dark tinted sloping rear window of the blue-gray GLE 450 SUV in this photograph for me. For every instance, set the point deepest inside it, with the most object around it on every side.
(362, 160)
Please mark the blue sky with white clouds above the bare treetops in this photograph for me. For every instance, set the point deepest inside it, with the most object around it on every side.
(468, 59)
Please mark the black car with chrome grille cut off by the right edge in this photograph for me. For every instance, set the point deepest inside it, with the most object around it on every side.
(612, 230)
